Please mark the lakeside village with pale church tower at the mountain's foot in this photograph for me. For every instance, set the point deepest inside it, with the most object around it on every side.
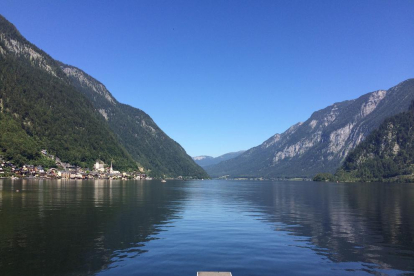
(63, 170)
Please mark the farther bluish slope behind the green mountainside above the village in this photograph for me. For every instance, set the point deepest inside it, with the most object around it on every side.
(137, 132)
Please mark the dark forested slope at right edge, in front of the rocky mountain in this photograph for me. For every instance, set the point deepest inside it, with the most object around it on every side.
(386, 154)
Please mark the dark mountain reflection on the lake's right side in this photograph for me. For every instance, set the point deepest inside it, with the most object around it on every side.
(370, 223)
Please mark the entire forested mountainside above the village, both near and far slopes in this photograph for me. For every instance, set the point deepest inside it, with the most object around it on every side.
(62, 109)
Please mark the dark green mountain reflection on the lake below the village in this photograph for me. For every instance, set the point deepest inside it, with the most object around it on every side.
(78, 228)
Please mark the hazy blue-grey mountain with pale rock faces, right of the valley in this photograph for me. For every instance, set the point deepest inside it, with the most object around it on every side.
(322, 142)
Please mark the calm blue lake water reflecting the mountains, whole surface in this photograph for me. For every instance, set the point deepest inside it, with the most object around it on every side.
(179, 228)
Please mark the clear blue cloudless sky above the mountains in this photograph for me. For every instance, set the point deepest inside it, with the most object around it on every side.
(221, 76)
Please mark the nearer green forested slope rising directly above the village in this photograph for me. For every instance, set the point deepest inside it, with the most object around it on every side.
(39, 109)
